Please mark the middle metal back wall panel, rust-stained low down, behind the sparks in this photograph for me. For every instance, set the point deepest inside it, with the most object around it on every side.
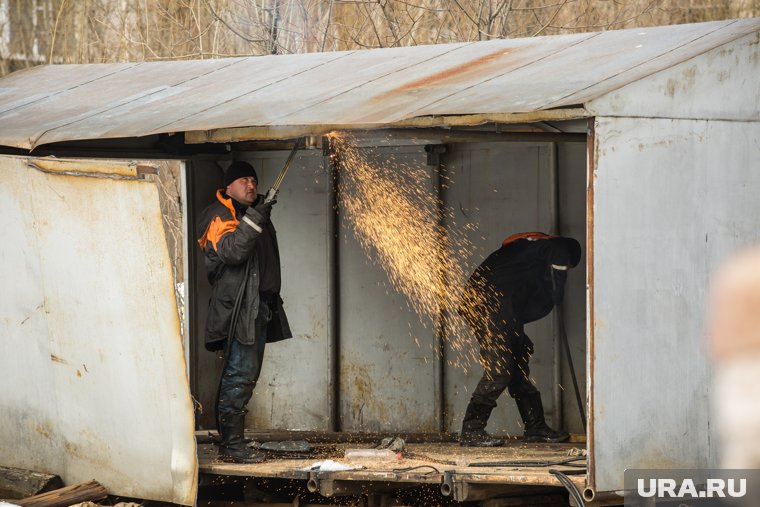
(386, 379)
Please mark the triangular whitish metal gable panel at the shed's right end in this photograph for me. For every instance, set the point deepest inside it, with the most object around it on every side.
(723, 83)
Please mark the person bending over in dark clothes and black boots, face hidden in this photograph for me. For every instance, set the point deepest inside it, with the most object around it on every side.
(518, 283)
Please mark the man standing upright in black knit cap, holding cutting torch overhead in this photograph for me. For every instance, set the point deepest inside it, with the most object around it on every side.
(245, 310)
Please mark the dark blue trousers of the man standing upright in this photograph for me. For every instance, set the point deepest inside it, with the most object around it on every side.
(241, 372)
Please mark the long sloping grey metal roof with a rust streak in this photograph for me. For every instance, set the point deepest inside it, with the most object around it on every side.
(351, 89)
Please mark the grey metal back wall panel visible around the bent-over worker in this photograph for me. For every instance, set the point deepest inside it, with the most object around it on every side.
(501, 188)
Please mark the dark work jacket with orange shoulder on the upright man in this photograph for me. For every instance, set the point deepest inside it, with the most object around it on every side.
(228, 243)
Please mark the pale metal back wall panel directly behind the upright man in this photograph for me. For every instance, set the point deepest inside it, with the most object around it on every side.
(292, 390)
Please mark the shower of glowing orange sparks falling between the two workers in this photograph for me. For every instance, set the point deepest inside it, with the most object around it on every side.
(398, 221)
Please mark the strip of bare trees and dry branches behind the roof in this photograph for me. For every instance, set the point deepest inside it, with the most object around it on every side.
(83, 31)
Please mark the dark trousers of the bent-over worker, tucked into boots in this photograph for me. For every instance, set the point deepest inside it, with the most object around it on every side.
(505, 356)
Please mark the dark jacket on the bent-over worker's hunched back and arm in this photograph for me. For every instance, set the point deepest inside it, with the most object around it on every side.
(525, 278)
